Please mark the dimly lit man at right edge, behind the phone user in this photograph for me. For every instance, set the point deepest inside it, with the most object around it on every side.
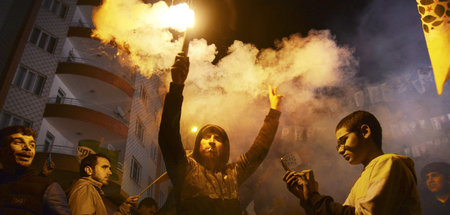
(437, 176)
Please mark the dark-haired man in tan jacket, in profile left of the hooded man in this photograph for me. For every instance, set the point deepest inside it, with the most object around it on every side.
(85, 196)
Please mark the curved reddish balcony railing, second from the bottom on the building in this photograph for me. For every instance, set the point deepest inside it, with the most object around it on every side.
(108, 65)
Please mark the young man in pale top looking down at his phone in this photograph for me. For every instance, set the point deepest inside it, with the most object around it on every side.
(387, 185)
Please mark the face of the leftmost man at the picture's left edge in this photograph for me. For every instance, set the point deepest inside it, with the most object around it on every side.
(20, 151)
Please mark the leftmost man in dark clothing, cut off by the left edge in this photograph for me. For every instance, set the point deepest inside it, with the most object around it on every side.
(22, 191)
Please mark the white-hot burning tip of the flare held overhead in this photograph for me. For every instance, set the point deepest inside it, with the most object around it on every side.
(179, 17)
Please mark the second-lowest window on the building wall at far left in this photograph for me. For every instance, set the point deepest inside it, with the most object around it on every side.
(29, 80)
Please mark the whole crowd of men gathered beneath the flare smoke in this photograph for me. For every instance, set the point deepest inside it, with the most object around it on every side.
(206, 183)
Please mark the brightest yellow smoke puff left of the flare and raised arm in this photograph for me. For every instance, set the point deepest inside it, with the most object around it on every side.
(140, 31)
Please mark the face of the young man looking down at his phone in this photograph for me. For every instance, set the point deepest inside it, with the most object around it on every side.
(351, 146)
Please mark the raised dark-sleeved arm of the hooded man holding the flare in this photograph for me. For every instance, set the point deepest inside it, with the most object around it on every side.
(169, 137)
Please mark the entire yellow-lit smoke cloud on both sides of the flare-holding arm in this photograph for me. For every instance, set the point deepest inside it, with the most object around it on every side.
(233, 93)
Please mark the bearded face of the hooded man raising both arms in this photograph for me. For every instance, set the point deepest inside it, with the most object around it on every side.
(211, 146)
